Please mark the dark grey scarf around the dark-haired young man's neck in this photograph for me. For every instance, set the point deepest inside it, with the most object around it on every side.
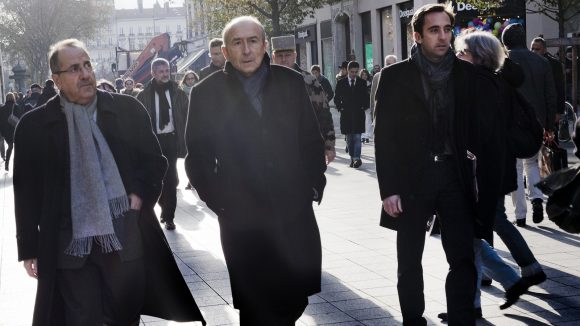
(435, 76)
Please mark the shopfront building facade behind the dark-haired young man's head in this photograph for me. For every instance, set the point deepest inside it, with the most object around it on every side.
(368, 30)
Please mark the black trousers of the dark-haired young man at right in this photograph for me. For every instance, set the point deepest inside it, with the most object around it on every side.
(442, 194)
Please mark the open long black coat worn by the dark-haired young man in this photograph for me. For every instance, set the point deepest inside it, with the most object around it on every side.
(403, 134)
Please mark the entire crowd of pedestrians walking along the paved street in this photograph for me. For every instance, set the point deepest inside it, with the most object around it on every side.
(257, 135)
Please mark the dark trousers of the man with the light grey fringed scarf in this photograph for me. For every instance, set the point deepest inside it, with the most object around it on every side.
(105, 291)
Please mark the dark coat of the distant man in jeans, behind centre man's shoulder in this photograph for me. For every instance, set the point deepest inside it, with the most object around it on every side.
(351, 103)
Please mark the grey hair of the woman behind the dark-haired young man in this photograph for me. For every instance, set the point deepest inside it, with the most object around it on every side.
(485, 48)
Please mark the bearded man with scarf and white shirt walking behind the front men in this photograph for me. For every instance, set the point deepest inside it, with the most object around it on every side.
(167, 106)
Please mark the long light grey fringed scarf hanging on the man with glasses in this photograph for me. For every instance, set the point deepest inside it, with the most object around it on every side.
(97, 192)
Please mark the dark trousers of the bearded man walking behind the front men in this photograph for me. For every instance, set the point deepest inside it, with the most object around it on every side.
(168, 198)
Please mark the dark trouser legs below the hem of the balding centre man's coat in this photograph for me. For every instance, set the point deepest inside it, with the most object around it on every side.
(285, 314)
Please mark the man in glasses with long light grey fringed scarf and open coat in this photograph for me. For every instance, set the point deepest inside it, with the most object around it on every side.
(87, 173)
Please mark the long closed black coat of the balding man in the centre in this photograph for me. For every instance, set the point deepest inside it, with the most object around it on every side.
(258, 174)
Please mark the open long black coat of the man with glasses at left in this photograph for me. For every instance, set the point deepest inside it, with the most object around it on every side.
(42, 200)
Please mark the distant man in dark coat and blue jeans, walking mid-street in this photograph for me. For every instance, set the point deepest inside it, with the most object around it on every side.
(352, 99)
